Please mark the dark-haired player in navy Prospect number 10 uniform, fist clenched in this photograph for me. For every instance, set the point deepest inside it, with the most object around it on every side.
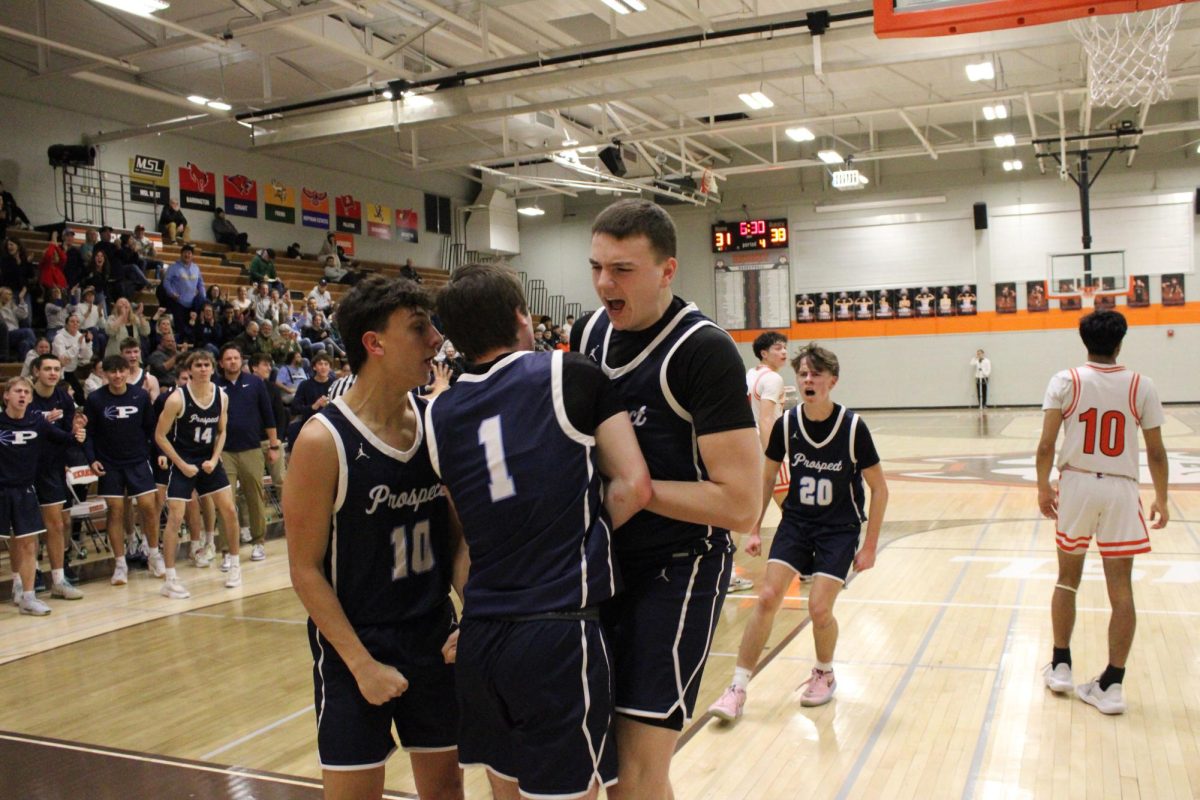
(371, 544)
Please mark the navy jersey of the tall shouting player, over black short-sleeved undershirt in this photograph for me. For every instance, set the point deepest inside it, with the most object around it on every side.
(664, 428)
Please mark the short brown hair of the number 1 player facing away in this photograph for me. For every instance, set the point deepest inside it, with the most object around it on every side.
(477, 309)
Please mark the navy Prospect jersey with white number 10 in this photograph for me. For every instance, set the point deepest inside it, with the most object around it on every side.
(389, 556)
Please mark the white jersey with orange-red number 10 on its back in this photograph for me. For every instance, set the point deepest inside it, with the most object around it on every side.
(1103, 406)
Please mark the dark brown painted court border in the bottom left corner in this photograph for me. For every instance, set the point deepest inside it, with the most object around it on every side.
(39, 767)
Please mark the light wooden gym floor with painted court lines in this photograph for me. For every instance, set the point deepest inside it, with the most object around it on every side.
(939, 667)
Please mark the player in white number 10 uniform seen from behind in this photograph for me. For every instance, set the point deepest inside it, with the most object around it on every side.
(1100, 407)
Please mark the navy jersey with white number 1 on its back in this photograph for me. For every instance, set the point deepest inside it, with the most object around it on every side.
(527, 490)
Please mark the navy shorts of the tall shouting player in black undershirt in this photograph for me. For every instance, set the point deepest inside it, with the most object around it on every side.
(661, 629)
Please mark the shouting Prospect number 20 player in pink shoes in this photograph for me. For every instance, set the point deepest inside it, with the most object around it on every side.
(831, 454)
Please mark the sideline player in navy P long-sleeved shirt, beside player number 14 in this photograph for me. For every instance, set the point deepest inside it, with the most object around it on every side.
(121, 432)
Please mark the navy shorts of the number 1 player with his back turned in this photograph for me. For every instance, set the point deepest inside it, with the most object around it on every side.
(536, 700)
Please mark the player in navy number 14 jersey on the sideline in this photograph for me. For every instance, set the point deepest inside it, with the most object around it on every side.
(191, 434)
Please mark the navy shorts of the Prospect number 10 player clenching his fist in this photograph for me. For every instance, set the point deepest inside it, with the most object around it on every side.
(353, 735)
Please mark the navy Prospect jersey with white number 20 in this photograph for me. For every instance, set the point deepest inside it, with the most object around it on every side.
(827, 482)
